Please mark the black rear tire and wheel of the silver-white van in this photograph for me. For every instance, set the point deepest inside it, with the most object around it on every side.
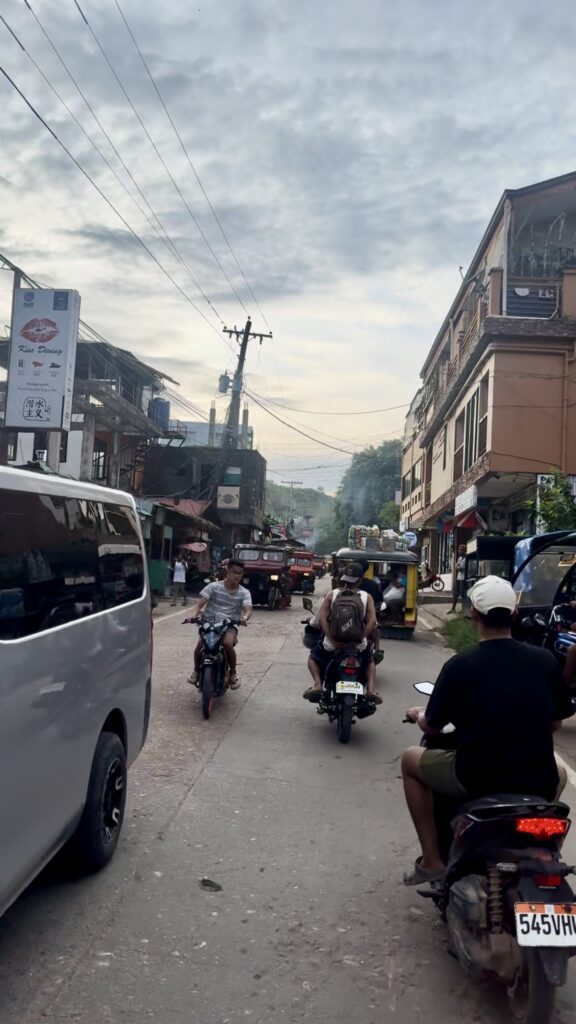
(95, 842)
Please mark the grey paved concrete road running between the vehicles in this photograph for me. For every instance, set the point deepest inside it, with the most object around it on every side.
(308, 840)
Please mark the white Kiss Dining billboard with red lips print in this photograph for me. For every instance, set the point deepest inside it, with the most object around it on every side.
(45, 336)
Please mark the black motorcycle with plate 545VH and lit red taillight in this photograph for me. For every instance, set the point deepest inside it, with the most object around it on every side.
(510, 911)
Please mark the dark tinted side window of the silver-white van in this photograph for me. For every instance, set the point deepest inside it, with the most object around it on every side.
(63, 560)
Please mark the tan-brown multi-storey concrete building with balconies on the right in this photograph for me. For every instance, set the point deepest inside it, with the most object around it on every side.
(498, 406)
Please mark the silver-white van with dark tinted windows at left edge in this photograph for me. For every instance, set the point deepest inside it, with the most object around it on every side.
(75, 670)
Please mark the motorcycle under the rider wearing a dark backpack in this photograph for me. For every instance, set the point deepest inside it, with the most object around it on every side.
(344, 692)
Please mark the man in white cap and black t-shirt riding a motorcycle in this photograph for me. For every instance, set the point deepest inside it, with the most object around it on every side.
(506, 699)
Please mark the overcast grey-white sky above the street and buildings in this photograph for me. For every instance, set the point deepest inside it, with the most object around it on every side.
(354, 153)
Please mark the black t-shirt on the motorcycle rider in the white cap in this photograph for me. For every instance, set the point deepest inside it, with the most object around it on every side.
(503, 697)
